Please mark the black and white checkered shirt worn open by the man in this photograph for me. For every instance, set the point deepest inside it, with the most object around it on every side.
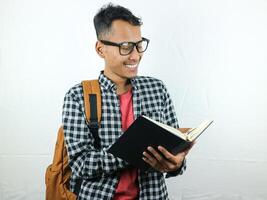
(100, 170)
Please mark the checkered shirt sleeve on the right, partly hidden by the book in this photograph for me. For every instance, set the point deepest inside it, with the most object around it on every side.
(171, 120)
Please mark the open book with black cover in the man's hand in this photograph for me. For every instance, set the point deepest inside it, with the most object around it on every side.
(145, 132)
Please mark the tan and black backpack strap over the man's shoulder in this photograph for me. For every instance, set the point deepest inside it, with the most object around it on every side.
(92, 104)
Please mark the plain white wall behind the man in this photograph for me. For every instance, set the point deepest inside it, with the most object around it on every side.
(211, 54)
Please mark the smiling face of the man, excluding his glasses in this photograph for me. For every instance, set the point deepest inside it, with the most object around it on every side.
(117, 67)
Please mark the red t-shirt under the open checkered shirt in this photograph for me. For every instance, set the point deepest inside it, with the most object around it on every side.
(127, 188)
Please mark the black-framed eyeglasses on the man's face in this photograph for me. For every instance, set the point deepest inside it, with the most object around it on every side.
(125, 48)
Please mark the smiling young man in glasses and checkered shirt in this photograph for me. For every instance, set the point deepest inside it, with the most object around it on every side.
(125, 96)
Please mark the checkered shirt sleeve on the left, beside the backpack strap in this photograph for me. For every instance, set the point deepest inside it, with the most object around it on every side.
(85, 161)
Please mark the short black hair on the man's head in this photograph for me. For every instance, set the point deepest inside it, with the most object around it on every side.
(110, 12)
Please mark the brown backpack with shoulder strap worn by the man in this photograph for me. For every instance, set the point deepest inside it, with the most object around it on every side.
(58, 173)
